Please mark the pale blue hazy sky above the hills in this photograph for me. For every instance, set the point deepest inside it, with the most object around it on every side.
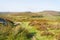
(29, 5)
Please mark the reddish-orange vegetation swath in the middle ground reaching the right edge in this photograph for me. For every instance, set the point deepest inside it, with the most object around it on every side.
(43, 24)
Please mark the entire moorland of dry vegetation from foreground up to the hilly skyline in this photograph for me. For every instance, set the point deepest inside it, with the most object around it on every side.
(30, 26)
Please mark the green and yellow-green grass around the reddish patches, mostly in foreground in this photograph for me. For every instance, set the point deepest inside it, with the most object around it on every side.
(24, 31)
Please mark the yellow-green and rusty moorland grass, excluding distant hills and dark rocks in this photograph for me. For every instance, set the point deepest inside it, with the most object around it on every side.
(24, 31)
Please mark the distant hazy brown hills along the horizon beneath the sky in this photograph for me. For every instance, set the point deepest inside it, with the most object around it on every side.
(54, 13)
